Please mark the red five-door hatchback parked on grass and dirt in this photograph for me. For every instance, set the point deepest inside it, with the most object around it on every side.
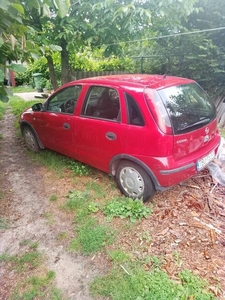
(150, 132)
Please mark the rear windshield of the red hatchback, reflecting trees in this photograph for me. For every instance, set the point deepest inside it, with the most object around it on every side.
(188, 106)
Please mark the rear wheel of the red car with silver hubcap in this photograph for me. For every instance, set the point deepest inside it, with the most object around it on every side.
(133, 181)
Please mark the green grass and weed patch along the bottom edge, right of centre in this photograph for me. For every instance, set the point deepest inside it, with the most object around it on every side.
(132, 282)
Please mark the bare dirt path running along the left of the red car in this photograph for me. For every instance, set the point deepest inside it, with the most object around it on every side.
(26, 205)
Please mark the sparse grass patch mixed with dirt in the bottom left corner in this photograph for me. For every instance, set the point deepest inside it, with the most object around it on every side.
(28, 266)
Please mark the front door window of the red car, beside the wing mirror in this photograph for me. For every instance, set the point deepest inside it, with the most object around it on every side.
(65, 100)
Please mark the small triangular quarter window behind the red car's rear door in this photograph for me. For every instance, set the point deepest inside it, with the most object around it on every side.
(134, 114)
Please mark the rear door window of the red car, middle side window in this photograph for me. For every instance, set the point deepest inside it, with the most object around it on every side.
(102, 102)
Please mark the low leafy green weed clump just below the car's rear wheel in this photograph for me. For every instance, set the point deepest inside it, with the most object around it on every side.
(127, 208)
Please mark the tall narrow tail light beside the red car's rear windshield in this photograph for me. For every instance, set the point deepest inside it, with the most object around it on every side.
(158, 111)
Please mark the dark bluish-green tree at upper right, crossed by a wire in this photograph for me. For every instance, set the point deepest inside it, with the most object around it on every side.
(187, 49)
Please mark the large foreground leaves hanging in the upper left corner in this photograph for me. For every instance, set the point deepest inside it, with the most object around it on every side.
(13, 31)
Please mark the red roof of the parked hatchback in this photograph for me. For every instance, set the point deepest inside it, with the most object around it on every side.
(137, 80)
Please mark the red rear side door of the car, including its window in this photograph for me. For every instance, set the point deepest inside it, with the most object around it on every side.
(99, 132)
